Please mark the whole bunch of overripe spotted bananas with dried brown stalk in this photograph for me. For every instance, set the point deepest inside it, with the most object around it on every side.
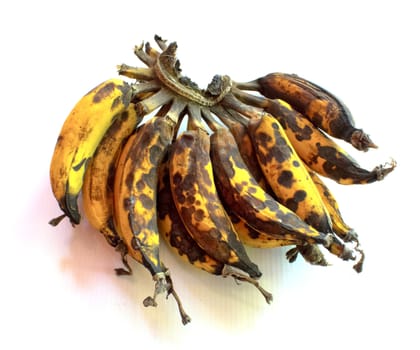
(246, 170)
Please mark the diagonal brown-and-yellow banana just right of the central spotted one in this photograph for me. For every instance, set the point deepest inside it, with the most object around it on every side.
(246, 199)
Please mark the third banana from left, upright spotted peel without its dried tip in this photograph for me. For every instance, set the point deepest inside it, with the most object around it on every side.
(143, 161)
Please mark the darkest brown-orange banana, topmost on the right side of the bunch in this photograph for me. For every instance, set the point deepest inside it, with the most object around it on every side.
(321, 107)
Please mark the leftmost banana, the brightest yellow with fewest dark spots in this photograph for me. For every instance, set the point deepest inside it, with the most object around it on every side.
(79, 137)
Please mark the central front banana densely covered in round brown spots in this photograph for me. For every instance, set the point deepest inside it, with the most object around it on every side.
(198, 204)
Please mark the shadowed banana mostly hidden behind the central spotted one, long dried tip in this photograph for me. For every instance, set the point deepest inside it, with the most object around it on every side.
(174, 232)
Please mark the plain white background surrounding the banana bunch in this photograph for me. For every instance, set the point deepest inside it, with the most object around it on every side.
(58, 288)
